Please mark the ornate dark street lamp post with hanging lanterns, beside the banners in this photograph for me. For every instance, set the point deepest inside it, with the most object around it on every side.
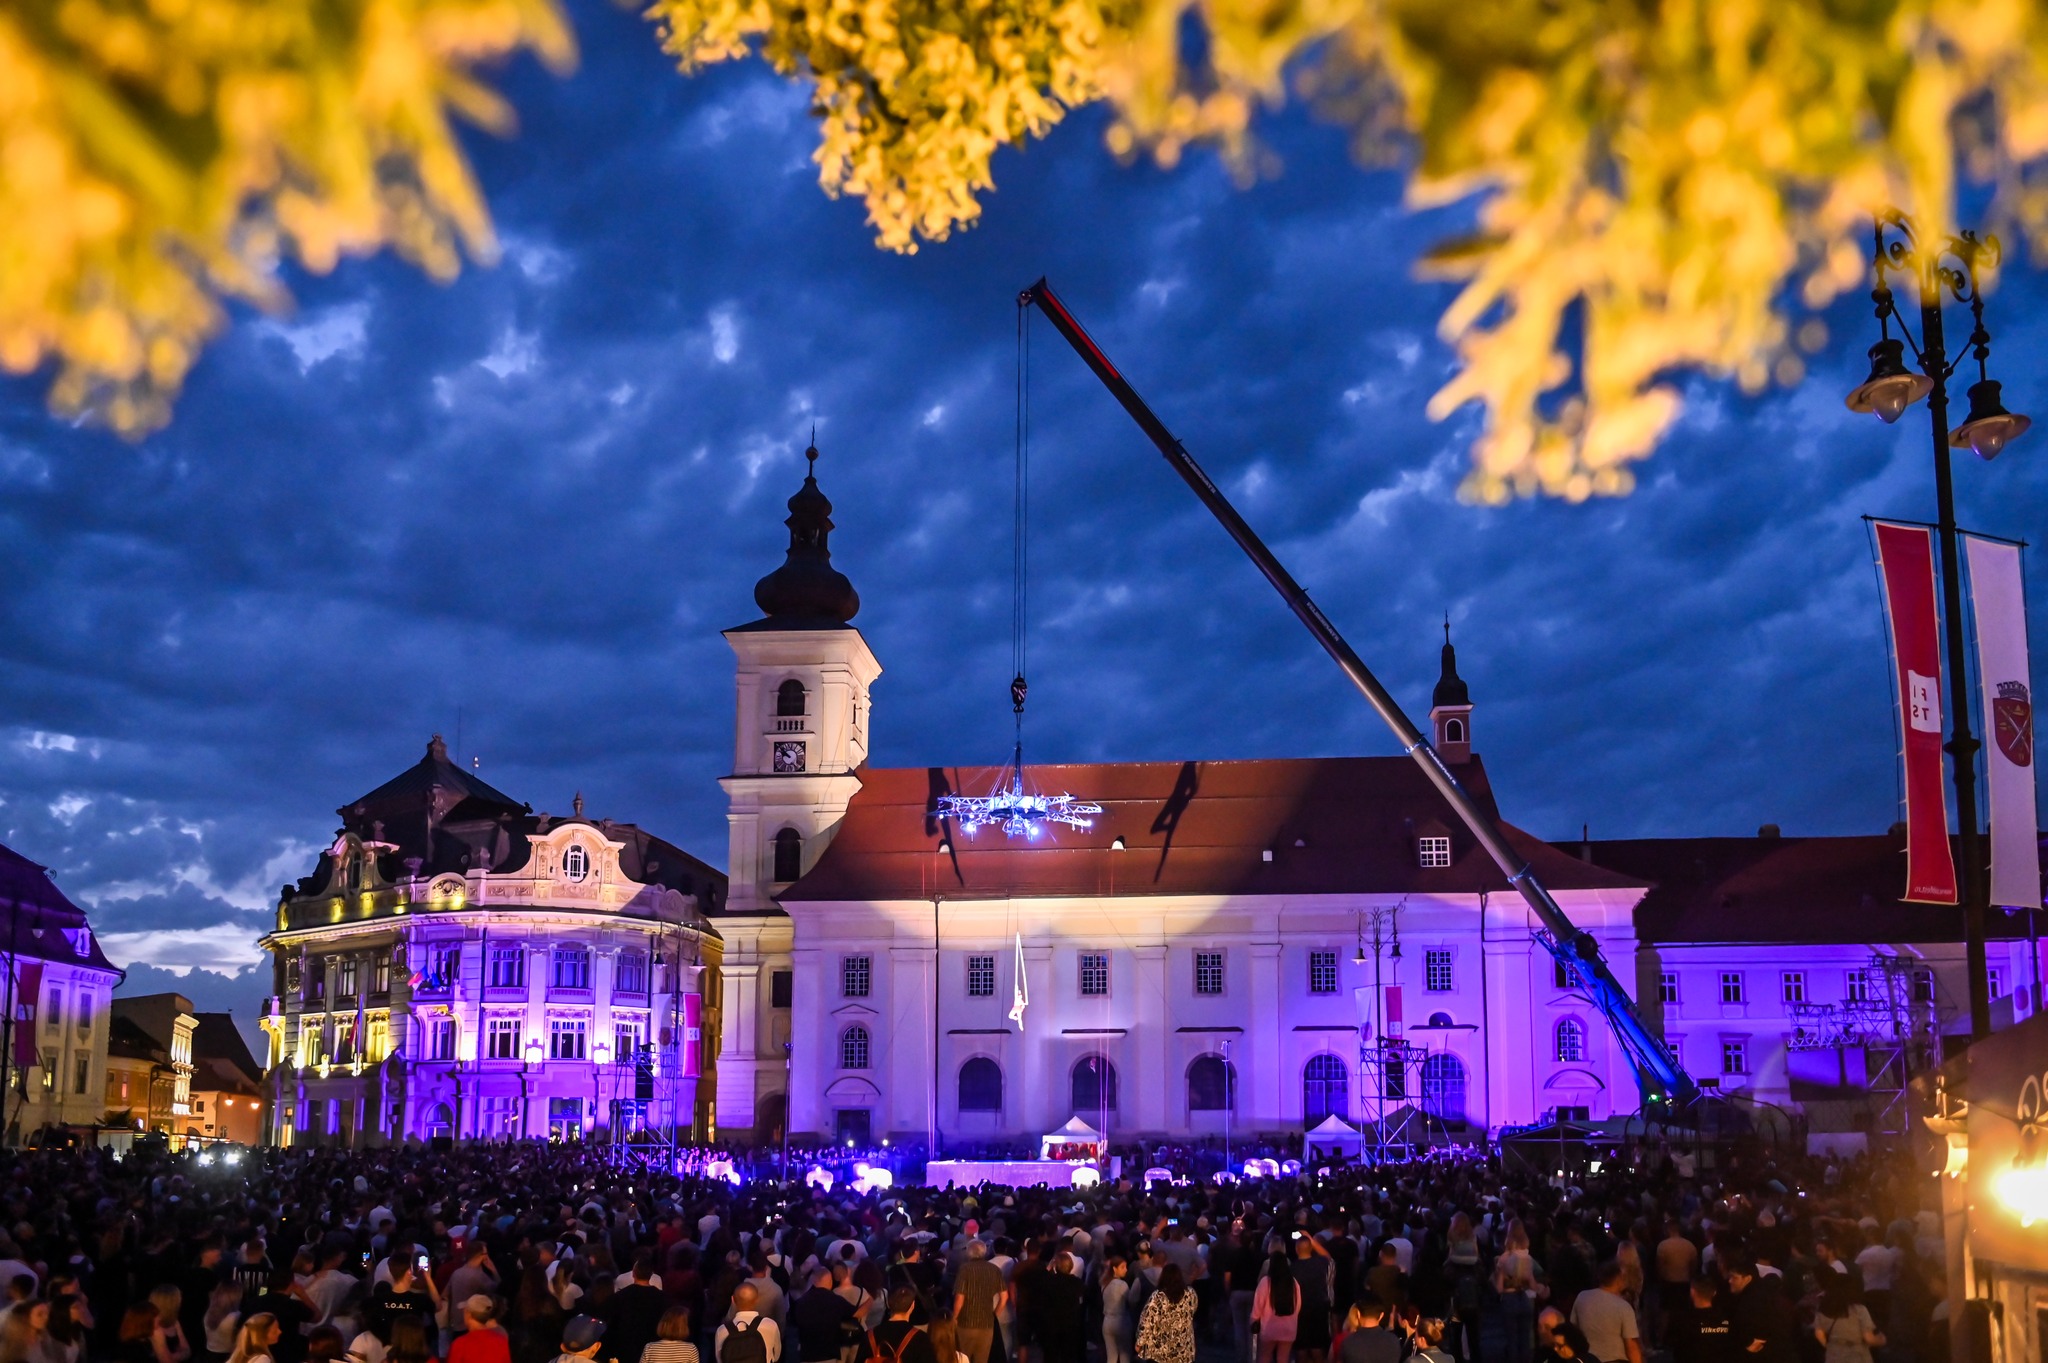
(1936, 269)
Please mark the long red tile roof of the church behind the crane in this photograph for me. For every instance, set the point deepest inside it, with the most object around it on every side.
(1334, 826)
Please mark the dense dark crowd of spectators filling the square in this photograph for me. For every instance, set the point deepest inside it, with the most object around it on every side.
(579, 1256)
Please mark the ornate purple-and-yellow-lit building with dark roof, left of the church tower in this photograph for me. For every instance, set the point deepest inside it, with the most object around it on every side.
(460, 967)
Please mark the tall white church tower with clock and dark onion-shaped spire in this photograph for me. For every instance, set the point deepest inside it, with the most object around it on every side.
(800, 742)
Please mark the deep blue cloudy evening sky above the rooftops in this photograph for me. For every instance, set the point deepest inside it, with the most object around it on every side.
(521, 509)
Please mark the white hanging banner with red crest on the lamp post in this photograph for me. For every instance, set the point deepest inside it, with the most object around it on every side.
(2000, 605)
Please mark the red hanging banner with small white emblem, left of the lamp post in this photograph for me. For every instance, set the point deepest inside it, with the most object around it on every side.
(1906, 556)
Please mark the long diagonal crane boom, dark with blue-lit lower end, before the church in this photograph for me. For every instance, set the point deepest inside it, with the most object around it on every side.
(1660, 1080)
